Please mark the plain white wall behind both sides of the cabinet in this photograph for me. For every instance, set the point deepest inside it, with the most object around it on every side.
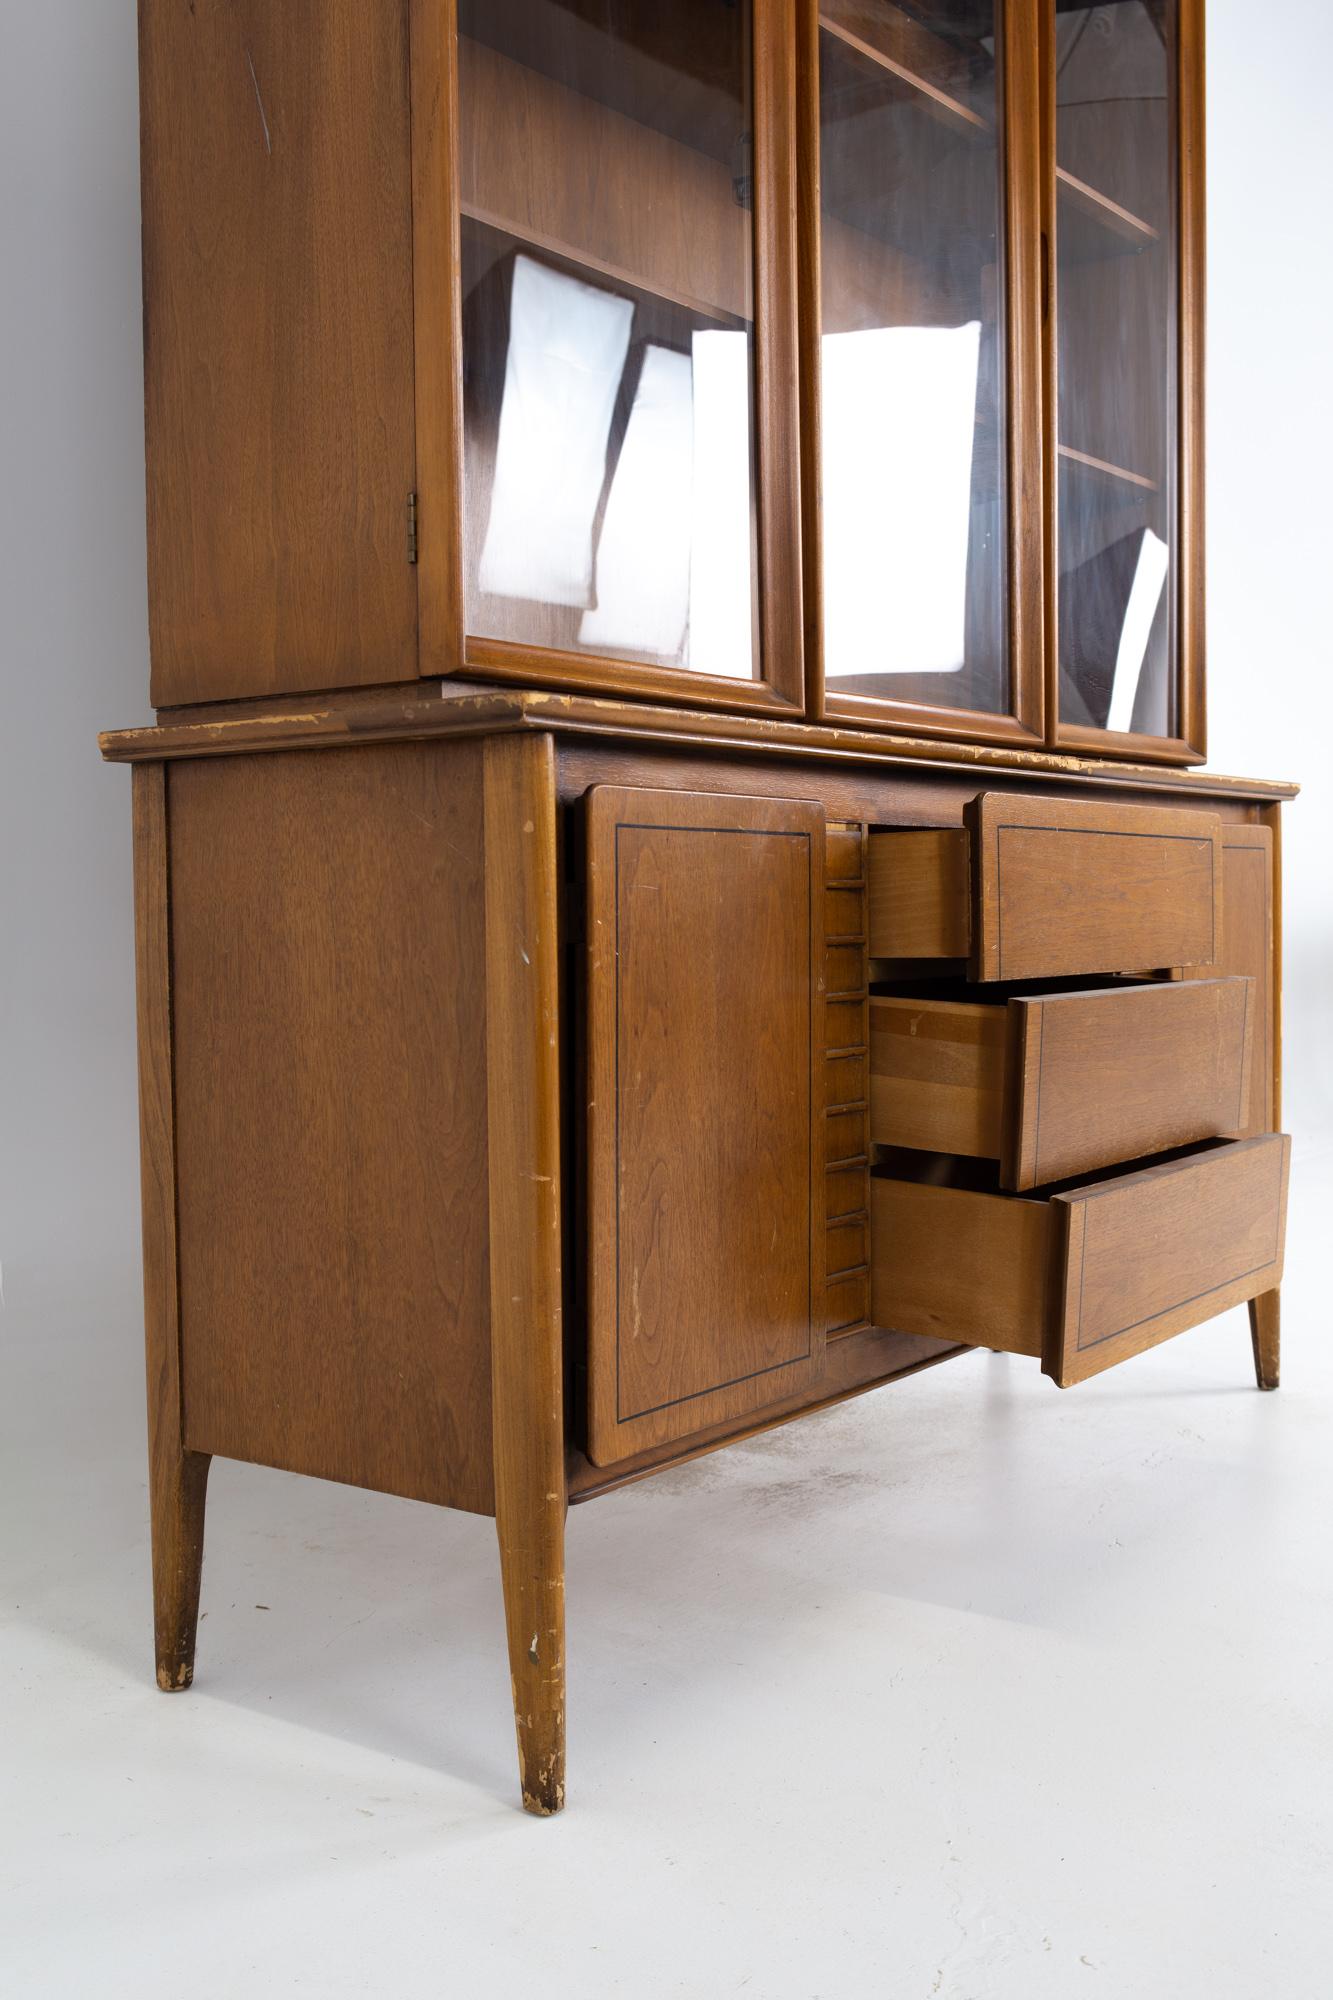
(73, 573)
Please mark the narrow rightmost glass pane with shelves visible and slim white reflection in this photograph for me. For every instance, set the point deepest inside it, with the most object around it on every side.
(1116, 303)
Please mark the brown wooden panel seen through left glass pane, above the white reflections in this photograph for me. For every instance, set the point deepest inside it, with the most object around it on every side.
(599, 189)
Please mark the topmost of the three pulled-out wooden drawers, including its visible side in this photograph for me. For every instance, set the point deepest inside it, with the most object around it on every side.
(1040, 889)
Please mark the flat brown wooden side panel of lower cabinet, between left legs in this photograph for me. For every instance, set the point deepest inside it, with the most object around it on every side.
(329, 989)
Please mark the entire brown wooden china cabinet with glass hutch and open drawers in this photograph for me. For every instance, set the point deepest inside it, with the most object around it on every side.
(670, 889)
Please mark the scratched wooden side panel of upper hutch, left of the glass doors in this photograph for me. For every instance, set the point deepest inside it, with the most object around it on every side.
(277, 345)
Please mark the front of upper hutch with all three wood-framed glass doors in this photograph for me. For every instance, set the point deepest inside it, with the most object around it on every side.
(826, 357)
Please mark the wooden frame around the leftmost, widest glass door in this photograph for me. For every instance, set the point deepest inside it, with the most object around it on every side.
(445, 645)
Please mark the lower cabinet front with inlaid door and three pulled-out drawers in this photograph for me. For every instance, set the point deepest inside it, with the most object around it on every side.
(816, 1107)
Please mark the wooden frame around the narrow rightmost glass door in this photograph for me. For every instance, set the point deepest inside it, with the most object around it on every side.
(1190, 743)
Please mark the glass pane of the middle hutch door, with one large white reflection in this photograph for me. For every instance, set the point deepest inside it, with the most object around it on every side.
(914, 379)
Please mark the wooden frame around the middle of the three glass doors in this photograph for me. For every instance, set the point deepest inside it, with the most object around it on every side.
(1026, 723)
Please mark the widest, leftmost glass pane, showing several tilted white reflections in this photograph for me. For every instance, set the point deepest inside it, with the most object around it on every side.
(607, 321)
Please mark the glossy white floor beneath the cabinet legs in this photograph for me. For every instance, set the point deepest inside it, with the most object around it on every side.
(968, 1689)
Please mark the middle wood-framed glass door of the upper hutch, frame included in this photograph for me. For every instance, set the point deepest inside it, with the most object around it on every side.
(928, 363)
